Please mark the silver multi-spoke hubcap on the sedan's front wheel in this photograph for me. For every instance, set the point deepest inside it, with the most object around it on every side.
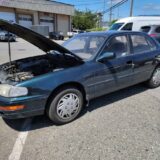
(68, 106)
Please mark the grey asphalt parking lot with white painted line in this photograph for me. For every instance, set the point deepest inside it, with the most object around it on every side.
(124, 125)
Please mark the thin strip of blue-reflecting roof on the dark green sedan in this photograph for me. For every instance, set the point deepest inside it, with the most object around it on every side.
(109, 33)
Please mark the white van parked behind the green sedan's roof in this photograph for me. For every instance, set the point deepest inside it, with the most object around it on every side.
(135, 23)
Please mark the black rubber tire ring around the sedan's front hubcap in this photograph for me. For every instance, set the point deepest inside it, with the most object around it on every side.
(52, 110)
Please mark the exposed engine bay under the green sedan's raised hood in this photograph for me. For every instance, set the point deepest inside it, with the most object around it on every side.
(23, 69)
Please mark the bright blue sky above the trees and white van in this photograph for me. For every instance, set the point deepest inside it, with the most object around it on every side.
(141, 7)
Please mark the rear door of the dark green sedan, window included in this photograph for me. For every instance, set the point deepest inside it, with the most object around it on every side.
(144, 51)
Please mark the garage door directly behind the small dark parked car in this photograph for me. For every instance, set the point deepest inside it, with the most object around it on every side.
(47, 21)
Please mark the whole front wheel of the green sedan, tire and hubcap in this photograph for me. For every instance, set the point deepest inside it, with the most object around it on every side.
(65, 106)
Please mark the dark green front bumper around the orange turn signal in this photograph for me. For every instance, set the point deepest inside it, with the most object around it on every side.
(34, 105)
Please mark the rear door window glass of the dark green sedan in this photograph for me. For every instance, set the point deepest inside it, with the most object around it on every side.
(141, 44)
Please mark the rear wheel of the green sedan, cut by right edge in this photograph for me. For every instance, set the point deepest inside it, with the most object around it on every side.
(154, 81)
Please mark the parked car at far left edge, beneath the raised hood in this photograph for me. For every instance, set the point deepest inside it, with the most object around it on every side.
(5, 36)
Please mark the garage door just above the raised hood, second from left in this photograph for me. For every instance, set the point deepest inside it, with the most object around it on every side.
(25, 20)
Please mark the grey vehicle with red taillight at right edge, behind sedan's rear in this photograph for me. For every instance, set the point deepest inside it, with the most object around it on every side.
(152, 30)
